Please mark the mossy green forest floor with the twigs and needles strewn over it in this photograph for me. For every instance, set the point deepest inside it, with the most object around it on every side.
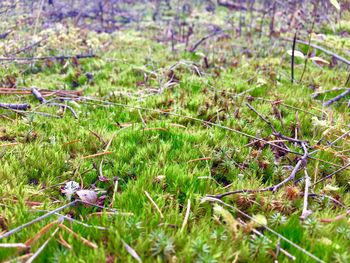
(159, 135)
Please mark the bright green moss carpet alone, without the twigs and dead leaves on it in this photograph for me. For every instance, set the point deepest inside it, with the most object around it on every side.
(159, 161)
